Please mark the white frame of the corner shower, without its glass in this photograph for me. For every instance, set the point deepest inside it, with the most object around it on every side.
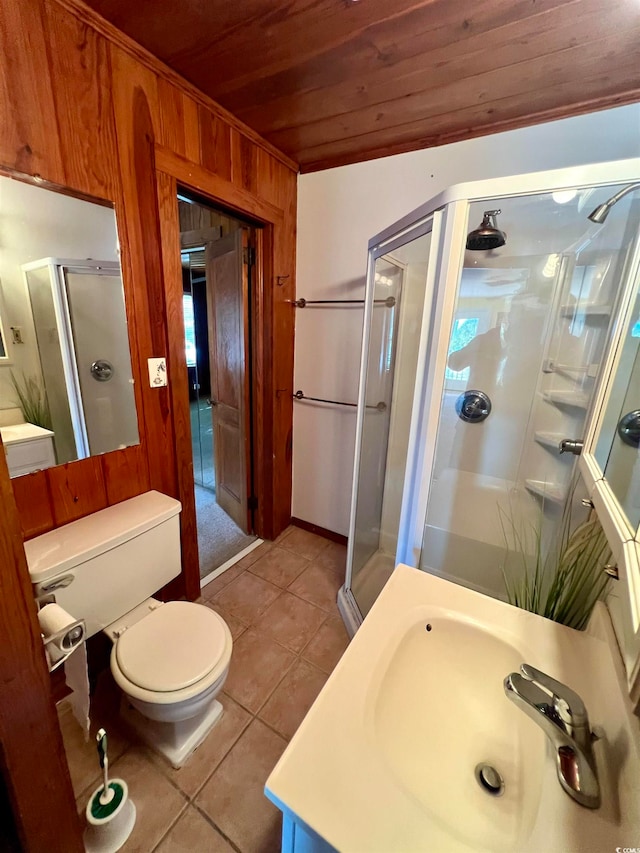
(450, 212)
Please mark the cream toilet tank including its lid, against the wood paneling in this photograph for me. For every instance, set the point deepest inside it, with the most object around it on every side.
(101, 566)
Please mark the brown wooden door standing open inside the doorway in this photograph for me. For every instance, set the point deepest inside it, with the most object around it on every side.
(228, 319)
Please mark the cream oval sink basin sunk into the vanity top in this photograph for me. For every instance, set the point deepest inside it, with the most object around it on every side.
(456, 717)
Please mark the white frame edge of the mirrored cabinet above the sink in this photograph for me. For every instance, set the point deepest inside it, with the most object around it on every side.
(623, 538)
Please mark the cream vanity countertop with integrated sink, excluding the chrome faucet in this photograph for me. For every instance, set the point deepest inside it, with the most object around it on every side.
(374, 764)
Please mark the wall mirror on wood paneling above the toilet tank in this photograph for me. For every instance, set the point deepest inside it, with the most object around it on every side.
(66, 383)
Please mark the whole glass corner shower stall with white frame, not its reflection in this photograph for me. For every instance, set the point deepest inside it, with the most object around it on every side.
(487, 316)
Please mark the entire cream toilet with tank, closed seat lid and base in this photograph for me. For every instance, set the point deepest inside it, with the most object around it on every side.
(170, 660)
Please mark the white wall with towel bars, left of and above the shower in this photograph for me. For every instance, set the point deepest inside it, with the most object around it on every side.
(339, 210)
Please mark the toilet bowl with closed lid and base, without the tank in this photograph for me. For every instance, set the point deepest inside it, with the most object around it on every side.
(170, 661)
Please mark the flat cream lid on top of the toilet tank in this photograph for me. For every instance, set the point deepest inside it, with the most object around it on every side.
(66, 547)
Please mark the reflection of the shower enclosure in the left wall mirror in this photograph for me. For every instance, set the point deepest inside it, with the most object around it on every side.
(81, 333)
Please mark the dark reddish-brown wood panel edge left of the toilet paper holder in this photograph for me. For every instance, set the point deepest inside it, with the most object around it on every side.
(33, 768)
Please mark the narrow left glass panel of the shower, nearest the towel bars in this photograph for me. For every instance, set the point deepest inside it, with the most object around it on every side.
(396, 293)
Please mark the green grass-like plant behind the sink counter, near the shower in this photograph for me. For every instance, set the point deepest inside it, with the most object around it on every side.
(564, 583)
